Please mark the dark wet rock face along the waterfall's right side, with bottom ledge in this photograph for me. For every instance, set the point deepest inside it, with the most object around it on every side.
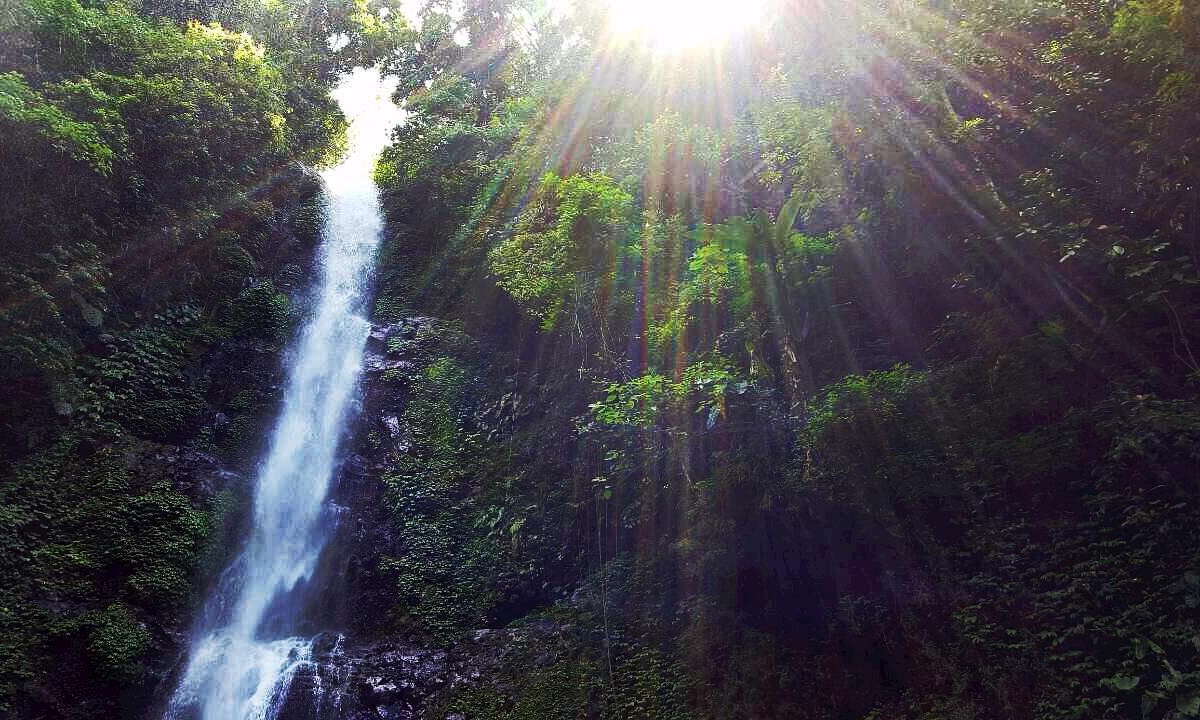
(367, 673)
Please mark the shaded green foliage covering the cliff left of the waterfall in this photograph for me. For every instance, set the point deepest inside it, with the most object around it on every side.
(159, 213)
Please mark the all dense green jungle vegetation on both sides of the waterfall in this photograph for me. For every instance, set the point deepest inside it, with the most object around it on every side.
(844, 368)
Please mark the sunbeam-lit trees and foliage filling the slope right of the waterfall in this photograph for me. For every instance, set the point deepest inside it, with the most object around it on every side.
(861, 392)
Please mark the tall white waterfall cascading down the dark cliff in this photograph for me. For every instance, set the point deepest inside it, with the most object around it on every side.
(248, 650)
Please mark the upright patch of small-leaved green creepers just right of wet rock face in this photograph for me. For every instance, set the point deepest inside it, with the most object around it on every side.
(445, 496)
